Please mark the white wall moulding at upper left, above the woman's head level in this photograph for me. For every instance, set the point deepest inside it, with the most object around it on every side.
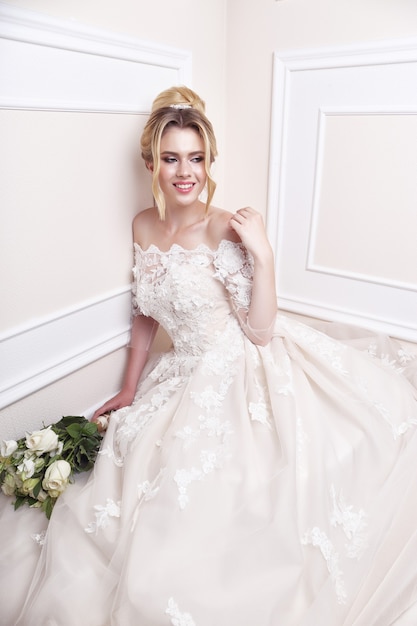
(52, 64)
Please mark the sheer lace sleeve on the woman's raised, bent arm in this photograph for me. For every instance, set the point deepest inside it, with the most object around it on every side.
(234, 268)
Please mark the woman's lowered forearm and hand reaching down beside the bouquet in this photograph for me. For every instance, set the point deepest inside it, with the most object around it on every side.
(142, 334)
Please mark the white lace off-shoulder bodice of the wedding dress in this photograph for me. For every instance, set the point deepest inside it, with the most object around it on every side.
(192, 293)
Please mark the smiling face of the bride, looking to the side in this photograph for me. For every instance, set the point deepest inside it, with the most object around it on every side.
(182, 175)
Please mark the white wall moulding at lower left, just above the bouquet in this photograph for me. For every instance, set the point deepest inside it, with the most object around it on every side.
(42, 352)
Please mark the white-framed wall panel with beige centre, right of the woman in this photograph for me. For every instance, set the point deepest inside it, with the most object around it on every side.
(342, 202)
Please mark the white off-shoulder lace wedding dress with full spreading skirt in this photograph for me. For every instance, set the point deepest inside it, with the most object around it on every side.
(246, 485)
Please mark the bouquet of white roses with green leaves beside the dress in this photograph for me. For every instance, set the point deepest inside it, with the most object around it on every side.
(37, 468)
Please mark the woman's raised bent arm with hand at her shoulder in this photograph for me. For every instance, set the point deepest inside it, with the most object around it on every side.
(248, 224)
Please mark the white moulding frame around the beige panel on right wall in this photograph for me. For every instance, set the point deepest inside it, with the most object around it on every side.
(308, 85)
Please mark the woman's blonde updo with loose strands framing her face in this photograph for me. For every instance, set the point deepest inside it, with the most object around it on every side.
(182, 107)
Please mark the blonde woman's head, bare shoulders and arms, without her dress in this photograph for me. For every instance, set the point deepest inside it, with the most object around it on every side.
(178, 146)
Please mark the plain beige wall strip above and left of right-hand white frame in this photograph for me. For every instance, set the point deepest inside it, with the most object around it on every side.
(257, 28)
